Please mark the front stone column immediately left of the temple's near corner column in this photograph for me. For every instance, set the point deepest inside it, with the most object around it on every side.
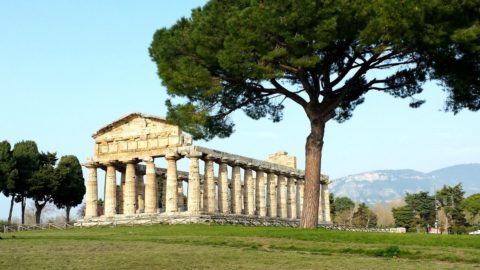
(172, 184)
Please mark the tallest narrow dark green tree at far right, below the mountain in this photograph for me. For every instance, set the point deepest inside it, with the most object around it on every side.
(450, 199)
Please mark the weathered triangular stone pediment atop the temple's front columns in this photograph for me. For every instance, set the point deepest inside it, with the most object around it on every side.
(137, 132)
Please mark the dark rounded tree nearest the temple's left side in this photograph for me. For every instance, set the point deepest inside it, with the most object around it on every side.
(71, 186)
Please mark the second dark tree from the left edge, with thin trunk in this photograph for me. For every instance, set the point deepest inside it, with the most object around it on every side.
(27, 160)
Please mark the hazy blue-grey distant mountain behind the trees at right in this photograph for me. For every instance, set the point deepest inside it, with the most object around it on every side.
(387, 185)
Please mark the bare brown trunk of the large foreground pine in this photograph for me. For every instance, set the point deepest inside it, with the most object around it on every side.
(313, 157)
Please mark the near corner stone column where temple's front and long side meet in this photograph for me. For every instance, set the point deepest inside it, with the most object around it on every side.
(193, 204)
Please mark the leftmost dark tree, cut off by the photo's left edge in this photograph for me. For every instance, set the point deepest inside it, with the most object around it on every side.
(8, 174)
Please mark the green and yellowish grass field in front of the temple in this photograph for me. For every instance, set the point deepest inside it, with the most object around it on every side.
(233, 247)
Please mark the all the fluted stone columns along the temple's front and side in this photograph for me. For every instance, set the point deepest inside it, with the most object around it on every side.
(270, 193)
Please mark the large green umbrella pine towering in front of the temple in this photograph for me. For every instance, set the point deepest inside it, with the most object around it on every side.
(323, 56)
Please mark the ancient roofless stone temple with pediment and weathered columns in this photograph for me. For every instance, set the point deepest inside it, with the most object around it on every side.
(266, 191)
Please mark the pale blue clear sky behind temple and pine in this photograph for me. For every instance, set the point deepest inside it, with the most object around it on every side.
(69, 67)
